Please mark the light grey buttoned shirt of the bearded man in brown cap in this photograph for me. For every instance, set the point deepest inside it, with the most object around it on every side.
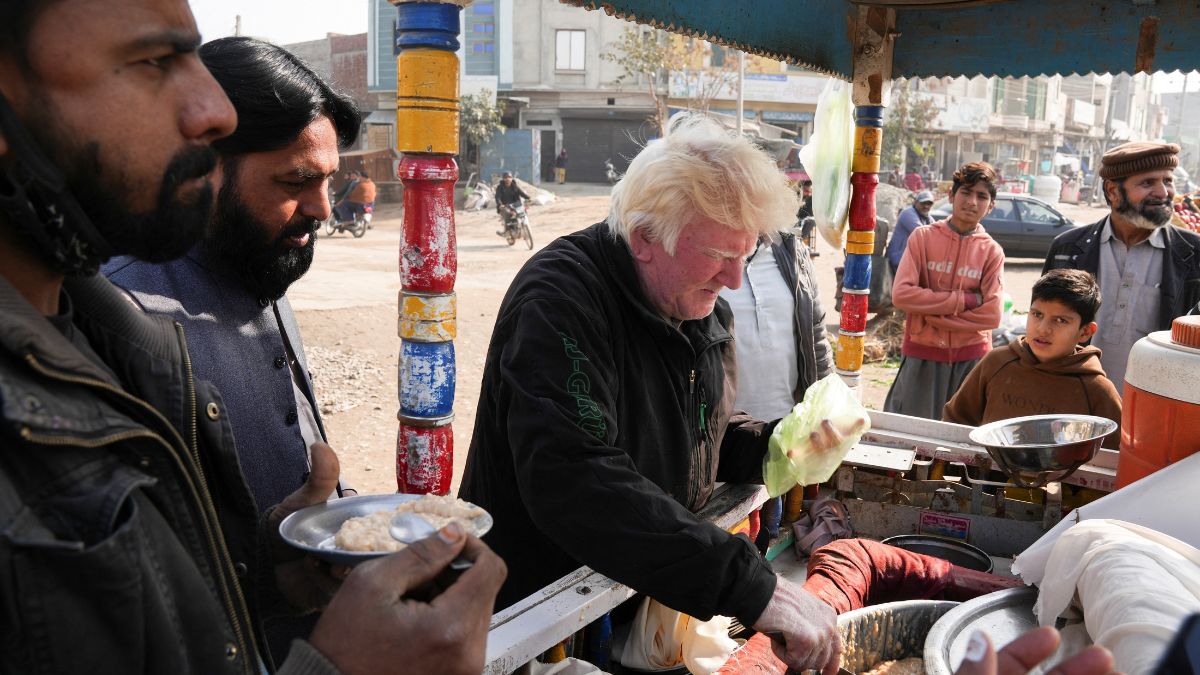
(1131, 284)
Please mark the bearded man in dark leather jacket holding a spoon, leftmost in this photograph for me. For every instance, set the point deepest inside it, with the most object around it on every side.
(129, 541)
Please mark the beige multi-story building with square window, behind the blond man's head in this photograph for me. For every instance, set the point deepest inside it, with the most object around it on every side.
(544, 58)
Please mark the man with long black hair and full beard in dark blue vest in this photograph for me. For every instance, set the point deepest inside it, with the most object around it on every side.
(229, 292)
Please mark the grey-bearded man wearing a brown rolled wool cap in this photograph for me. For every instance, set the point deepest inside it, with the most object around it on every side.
(1149, 271)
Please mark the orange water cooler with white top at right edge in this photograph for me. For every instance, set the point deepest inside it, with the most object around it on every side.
(1161, 407)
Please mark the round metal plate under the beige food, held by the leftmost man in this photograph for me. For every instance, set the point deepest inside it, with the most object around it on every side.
(313, 529)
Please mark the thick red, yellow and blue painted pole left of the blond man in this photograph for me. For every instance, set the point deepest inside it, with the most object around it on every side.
(428, 139)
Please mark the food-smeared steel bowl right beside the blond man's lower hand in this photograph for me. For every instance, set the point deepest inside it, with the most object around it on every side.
(887, 632)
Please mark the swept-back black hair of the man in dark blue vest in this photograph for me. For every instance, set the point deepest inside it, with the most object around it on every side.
(275, 94)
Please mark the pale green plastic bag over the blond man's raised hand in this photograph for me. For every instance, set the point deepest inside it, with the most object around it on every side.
(791, 461)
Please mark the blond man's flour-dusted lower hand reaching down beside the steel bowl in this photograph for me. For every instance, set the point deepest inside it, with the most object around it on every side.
(803, 630)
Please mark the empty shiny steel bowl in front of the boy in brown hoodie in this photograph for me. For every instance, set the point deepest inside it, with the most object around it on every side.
(1043, 449)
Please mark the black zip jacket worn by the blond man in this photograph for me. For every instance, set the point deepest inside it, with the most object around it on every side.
(602, 428)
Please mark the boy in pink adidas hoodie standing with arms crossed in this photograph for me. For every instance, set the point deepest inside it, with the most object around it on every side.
(950, 283)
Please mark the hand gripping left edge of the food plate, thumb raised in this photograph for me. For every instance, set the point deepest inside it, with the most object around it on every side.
(307, 583)
